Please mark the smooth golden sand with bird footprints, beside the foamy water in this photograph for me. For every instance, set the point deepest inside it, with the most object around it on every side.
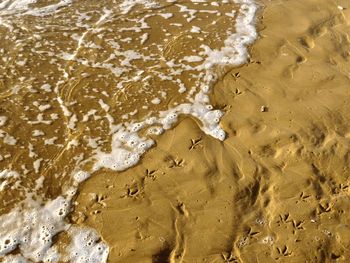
(277, 189)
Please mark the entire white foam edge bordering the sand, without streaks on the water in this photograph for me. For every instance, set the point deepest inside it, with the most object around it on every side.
(32, 229)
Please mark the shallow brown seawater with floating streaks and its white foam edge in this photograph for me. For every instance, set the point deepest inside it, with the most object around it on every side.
(89, 85)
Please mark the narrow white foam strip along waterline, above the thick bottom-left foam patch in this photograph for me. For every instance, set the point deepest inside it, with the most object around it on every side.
(128, 146)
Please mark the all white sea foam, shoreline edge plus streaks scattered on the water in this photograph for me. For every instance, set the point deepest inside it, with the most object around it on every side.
(30, 228)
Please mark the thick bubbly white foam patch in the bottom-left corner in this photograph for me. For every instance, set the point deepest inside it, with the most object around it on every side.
(31, 230)
